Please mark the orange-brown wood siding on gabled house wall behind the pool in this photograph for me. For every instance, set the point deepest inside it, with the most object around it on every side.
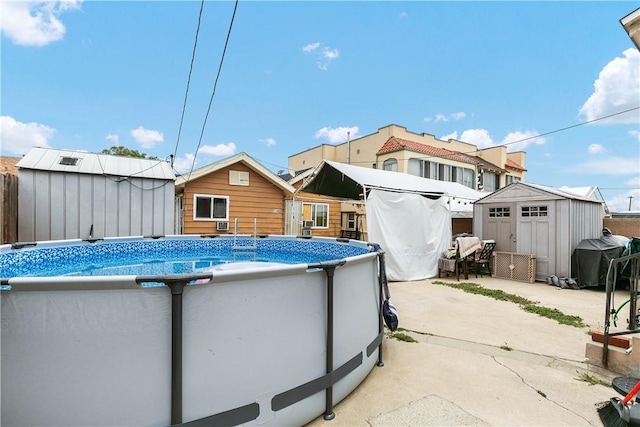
(260, 200)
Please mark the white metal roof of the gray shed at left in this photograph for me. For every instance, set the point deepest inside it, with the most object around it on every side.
(49, 159)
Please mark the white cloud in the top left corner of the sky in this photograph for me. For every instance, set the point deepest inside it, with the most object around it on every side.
(34, 23)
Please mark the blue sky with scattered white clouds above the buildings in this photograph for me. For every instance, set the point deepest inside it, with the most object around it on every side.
(89, 75)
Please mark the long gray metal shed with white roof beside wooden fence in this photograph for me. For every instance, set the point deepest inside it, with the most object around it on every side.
(65, 194)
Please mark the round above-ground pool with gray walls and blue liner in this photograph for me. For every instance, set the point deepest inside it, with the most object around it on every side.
(186, 330)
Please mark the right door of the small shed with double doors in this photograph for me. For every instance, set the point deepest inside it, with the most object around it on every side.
(537, 225)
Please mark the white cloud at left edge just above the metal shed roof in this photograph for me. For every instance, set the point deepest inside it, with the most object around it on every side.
(19, 138)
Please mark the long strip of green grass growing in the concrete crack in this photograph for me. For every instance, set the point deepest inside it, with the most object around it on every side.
(524, 303)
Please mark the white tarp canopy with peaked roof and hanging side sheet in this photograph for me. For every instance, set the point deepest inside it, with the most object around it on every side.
(407, 216)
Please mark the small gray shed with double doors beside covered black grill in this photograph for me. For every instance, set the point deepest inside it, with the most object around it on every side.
(534, 219)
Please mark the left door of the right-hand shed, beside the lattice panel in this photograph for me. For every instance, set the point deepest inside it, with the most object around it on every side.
(500, 225)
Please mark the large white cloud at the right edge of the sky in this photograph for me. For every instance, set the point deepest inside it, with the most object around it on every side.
(615, 90)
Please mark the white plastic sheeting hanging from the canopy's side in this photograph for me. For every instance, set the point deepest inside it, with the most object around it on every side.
(412, 229)
